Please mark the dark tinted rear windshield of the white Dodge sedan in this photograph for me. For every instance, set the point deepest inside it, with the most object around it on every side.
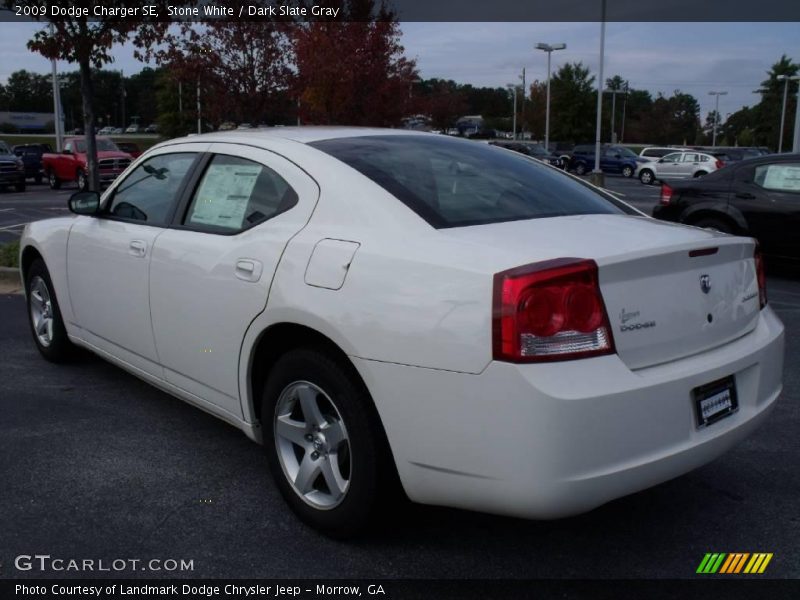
(454, 183)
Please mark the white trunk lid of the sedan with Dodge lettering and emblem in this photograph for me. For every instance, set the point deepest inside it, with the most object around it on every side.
(670, 290)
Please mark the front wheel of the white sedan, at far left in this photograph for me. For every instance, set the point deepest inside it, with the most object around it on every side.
(44, 315)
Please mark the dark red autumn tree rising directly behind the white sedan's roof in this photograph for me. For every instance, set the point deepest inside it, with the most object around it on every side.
(353, 72)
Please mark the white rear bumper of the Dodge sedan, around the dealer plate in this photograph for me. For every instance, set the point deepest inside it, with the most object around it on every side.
(546, 441)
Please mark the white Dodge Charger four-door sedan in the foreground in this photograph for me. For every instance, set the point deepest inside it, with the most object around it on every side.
(384, 307)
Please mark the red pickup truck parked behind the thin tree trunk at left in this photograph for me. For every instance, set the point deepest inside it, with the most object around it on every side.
(71, 164)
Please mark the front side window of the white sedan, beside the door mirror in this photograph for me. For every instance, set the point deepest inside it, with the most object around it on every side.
(150, 191)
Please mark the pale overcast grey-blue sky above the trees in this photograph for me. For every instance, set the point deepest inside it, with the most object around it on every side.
(693, 57)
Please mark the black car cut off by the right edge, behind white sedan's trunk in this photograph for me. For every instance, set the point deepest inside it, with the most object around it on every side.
(759, 197)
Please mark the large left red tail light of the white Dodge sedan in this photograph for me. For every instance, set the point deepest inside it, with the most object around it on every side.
(550, 311)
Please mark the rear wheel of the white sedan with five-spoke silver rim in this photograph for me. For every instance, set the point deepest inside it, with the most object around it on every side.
(324, 443)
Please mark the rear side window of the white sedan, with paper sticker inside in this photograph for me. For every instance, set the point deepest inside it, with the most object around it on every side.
(236, 194)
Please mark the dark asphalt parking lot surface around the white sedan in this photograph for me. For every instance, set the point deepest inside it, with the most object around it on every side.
(97, 464)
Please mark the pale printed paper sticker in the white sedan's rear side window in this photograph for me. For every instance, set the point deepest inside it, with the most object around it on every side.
(224, 195)
